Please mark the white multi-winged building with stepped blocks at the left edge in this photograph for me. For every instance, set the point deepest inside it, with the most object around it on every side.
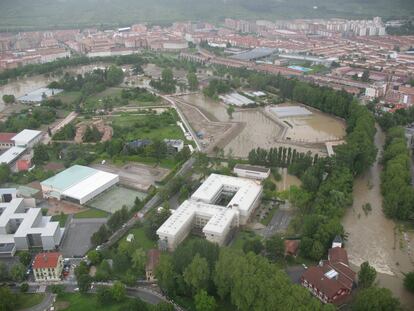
(22, 226)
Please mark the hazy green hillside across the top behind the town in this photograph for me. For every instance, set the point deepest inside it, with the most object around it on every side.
(32, 14)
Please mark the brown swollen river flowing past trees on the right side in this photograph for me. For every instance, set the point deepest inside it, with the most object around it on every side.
(374, 238)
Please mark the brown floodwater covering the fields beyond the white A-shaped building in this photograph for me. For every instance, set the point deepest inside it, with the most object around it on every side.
(262, 130)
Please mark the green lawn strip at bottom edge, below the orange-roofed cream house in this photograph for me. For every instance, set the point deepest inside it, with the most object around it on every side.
(88, 302)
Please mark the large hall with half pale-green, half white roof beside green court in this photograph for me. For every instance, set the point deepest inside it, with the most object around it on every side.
(78, 184)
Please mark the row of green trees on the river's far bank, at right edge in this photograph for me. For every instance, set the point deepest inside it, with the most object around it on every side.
(396, 186)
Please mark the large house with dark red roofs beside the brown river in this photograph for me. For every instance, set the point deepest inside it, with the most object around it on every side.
(332, 280)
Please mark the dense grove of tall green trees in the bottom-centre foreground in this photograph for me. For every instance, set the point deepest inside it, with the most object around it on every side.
(201, 270)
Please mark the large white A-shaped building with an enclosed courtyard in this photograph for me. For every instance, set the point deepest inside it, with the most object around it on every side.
(208, 210)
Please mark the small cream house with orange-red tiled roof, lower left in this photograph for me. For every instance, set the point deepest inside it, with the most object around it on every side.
(48, 267)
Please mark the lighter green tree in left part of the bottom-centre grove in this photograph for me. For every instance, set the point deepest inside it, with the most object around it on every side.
(197, 274)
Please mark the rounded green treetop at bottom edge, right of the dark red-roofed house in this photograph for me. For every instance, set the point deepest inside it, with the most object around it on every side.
(375, 299)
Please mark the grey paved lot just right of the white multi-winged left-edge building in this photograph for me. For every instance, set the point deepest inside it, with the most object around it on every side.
(77, 239)
